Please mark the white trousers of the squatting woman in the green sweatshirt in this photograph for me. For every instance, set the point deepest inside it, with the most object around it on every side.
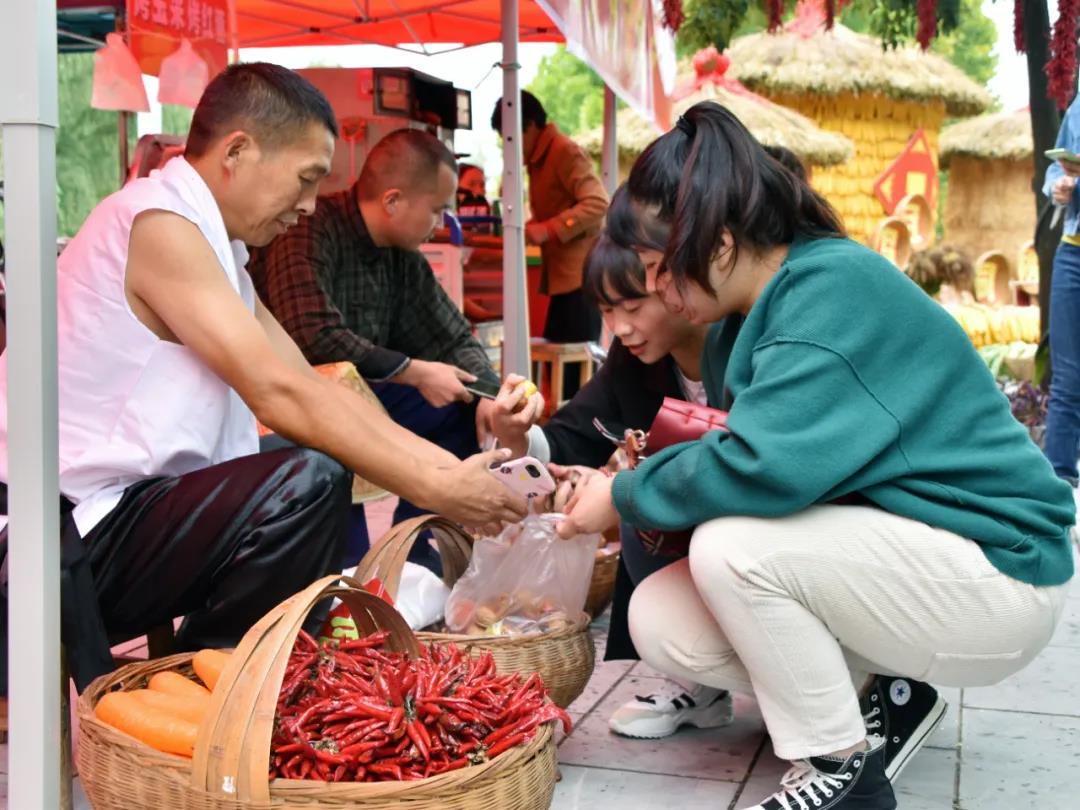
(800, 611)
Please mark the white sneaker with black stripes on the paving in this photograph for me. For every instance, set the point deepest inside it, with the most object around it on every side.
(653, 717)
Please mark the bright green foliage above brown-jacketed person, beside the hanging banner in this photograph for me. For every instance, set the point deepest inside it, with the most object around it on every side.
(571, 92)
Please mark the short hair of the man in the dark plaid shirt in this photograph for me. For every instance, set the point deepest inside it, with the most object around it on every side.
(404, 159)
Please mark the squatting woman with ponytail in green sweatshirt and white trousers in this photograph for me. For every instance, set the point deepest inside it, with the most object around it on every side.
(874, 509)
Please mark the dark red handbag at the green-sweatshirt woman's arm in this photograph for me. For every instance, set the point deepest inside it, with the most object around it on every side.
(677, 422)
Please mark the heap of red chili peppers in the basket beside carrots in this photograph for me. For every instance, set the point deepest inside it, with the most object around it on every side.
(356, 712)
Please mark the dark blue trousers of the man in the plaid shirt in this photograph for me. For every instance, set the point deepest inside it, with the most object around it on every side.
(453, 428)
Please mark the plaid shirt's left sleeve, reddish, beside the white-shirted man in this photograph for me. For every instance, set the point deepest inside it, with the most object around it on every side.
(295, 278)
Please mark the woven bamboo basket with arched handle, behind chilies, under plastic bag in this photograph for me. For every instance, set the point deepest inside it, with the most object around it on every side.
(564, 658)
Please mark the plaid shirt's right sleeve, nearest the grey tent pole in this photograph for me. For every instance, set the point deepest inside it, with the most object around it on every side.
(431, 327)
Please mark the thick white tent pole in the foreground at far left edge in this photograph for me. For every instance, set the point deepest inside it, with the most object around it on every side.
(29, 117)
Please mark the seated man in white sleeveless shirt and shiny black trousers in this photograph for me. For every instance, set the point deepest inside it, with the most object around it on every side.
(167, 357)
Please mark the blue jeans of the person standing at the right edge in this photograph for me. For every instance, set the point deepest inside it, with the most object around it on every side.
(1063, 417)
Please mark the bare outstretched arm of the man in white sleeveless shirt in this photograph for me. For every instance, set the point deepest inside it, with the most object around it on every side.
(175, 282)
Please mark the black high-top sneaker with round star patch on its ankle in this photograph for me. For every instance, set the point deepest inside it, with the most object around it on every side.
(904, 713)
